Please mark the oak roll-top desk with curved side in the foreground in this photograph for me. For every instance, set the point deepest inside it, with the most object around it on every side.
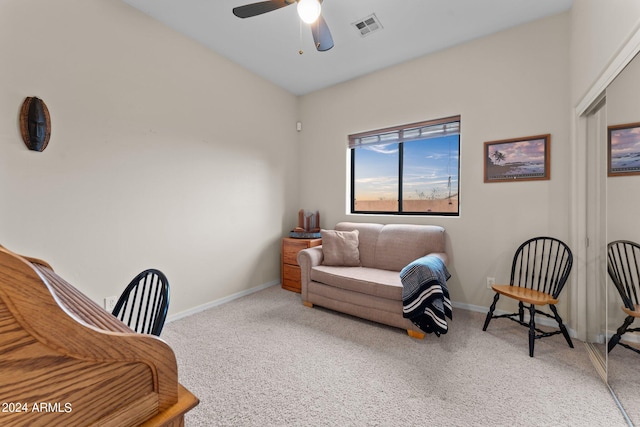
(66, 361)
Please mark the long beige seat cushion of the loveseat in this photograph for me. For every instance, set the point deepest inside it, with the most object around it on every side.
(370, 281)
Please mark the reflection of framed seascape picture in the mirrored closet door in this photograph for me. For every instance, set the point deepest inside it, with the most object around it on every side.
(623, 152)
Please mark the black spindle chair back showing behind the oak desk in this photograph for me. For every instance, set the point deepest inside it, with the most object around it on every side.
(144, 303)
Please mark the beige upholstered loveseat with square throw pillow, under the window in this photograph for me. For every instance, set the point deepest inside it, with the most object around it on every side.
(357, 269)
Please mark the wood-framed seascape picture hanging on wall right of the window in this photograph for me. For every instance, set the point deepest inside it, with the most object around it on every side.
(518, 159)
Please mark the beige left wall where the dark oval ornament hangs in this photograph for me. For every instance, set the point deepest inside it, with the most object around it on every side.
(163, 154)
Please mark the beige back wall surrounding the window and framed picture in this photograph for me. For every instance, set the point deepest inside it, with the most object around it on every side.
(511, 84)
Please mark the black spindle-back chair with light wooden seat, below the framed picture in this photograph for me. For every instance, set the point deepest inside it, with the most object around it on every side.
(539, 271)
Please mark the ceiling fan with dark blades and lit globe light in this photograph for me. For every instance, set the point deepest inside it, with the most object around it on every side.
(308, 10)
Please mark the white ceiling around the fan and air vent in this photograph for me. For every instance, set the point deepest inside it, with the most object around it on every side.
(268, 44)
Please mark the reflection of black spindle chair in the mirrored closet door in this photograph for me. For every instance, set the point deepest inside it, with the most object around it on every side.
(623, 258)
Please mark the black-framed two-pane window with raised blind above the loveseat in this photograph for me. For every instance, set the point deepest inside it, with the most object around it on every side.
(407, 170)
